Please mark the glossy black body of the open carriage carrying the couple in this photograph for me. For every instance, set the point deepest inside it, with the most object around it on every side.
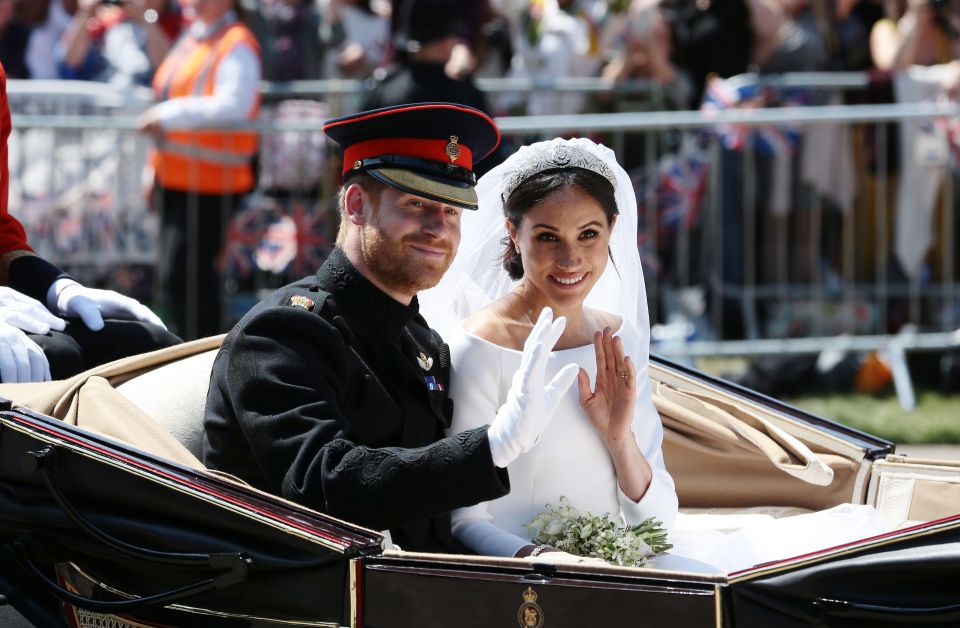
(110, 524)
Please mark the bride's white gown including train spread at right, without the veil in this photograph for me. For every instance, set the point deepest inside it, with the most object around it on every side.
(570, 460)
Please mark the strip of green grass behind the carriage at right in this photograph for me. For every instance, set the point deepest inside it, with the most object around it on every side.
(935, 420)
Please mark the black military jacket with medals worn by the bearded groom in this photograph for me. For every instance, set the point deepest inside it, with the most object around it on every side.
(334, 395)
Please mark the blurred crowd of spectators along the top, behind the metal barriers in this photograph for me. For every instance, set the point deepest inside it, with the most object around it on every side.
(677, 43)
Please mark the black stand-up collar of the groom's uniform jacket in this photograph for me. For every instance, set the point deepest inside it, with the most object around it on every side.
(355, 294)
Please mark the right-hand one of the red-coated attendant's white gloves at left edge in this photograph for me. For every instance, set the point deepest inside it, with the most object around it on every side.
(91, 305)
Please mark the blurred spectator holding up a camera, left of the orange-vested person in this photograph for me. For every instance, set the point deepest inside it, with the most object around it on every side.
(118, 41)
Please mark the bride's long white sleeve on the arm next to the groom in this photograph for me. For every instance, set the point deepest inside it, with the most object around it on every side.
(475, 375)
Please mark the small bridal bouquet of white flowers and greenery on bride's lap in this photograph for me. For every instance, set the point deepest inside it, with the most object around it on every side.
(585, 534)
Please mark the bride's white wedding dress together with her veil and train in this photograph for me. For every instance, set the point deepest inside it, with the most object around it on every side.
(570, 459)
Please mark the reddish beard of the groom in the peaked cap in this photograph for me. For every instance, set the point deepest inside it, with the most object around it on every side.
(397, 265)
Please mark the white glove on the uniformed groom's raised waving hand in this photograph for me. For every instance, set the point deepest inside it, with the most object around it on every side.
(530, 404)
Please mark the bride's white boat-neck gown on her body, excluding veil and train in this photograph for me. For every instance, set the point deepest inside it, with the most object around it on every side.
(569, 460)
